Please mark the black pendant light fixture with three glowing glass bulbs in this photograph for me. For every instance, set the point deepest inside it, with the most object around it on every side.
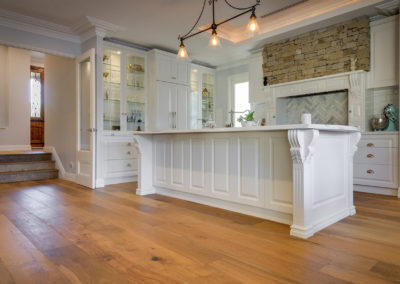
(214, 40)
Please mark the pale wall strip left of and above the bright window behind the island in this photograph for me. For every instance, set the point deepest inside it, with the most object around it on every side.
(222, 91)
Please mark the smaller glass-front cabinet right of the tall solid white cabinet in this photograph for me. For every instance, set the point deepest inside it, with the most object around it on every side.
(202, 81)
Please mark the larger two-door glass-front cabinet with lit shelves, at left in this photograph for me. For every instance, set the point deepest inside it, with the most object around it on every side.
(124, 89)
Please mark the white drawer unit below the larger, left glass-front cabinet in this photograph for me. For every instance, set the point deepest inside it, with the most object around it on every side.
(121, 163)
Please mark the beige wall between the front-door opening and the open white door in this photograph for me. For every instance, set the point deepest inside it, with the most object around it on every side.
(60, 109)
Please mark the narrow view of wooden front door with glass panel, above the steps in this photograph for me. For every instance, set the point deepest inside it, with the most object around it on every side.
(37, 106)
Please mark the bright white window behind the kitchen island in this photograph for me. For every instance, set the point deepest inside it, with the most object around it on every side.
(239, 96)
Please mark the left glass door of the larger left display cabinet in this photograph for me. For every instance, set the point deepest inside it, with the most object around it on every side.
(111, 89)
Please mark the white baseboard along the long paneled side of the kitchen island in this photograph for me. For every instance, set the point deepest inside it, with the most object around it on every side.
(263, 213)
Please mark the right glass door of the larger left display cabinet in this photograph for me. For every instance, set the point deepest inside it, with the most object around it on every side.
(135, 92)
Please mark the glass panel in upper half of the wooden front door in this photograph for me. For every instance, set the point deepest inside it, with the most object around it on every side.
(36, 85)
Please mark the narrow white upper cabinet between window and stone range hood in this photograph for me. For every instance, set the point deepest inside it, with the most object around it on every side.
(256, 93)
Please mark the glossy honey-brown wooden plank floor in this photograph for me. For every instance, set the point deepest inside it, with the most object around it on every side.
(57, 232)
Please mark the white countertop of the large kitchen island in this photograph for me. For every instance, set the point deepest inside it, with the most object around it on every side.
(321, 127)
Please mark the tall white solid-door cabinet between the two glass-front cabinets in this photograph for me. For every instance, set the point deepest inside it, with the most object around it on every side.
(169, 100)
